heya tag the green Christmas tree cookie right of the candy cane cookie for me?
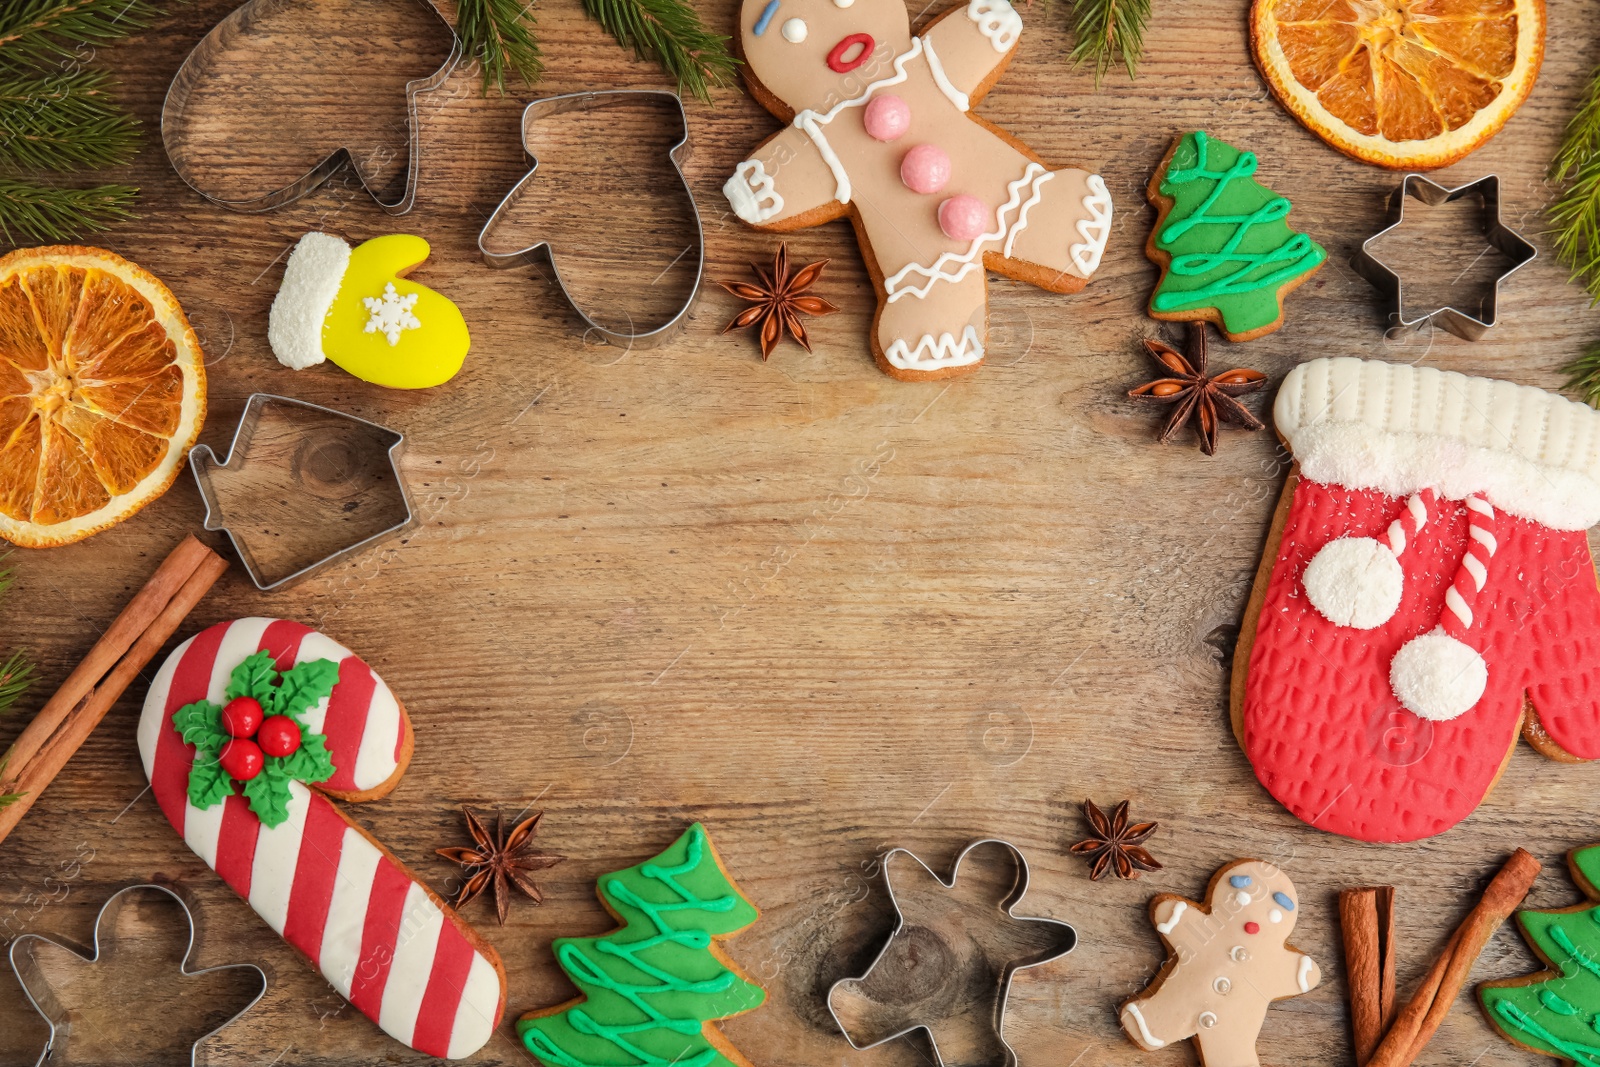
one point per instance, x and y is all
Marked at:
(652, 988)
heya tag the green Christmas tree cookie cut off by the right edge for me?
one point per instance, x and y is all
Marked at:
(1558, 1012)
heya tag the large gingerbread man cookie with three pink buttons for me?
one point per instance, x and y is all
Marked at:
(881, 130)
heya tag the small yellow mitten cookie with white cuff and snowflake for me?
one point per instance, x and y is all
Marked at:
(359, 310)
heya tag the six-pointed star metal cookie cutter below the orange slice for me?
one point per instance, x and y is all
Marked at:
(1497, 233)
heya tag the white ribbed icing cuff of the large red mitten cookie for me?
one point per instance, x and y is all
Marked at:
(1401, 430)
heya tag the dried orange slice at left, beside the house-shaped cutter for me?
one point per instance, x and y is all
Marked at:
(102, 393)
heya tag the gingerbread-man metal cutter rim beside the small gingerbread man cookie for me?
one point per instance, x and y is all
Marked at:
(1066, 943)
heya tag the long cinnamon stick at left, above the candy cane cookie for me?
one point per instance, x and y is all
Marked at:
(73, 714)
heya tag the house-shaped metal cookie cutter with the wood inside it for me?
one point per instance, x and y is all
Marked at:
(303, 487)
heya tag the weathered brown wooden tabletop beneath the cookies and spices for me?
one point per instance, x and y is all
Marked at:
(820, 610)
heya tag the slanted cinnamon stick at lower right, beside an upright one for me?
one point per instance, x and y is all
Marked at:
(1431, 1004)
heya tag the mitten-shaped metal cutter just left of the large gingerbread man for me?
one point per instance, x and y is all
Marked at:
(542, 252)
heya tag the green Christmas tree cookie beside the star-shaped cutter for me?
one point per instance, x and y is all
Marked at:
(1226, 254)
